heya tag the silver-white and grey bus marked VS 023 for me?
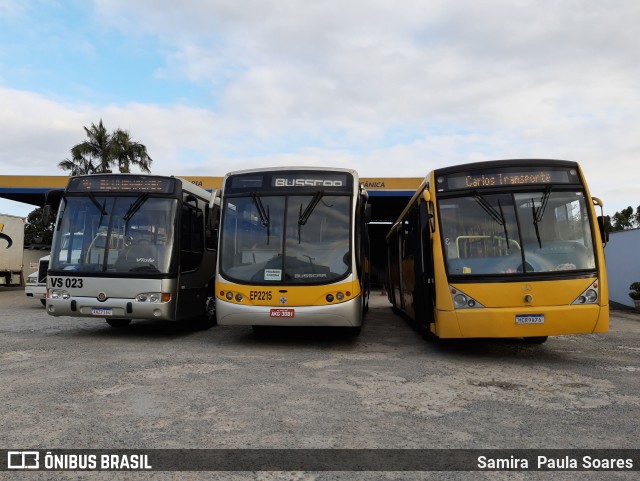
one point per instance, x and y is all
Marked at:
(130, 246)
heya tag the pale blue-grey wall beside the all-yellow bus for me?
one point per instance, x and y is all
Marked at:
(623, 264)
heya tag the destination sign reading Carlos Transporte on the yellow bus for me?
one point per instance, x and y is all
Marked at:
(507, 178)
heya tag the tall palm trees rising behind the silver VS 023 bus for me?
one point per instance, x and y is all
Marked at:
(102, 151)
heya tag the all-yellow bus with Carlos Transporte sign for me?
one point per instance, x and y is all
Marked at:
(509, 248)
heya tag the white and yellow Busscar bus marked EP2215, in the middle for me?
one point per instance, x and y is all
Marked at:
(293, 248)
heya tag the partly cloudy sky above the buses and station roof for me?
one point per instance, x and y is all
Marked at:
(389, 88)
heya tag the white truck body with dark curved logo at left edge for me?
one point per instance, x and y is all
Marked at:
(11, 249)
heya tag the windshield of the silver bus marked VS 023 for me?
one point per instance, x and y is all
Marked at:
(126, 234)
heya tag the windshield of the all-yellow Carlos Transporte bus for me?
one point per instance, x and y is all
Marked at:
(540, 231)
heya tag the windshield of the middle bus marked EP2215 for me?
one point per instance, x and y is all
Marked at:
(295, 239)
